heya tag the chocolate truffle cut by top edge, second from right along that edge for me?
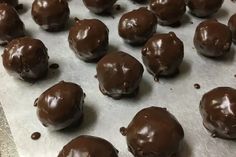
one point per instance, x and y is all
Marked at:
(168, 12)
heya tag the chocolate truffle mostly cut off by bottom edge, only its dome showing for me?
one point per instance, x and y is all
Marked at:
(88, 146)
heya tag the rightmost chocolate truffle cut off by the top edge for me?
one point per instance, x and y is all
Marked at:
(204, 8)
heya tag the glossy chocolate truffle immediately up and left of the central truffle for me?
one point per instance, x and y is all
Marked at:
(88, 38)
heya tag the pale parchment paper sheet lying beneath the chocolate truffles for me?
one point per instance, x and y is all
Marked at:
(103, 115)
